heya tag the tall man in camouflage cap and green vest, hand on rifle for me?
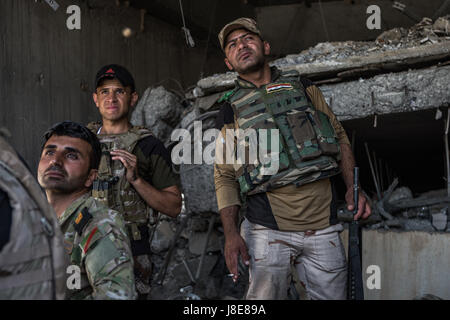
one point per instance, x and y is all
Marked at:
(287, 216)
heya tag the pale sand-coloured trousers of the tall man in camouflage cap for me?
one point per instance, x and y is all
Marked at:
(318, 257)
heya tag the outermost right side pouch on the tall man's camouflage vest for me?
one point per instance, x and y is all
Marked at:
(326, 135)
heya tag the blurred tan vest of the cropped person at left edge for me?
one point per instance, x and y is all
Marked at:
(33, 262)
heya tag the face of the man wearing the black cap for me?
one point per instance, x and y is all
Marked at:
(113, 100)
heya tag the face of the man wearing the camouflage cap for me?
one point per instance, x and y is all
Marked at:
(245, 51)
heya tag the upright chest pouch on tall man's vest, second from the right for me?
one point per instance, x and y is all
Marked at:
(304, 135)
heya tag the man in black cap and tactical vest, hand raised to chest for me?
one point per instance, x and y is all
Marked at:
(135, 176)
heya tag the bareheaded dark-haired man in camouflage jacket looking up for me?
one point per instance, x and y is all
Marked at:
(94, 236)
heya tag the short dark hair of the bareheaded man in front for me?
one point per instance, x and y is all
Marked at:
(76, 130)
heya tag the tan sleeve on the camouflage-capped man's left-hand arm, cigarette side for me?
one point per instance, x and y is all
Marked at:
(227, 188)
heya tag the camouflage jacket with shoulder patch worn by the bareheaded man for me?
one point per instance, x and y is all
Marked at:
(96, 240)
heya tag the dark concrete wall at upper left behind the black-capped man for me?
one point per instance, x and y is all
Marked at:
(47, 71)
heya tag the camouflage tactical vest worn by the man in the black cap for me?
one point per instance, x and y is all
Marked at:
(111, 186)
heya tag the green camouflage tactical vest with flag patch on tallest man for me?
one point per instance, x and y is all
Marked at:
(308, 145)
